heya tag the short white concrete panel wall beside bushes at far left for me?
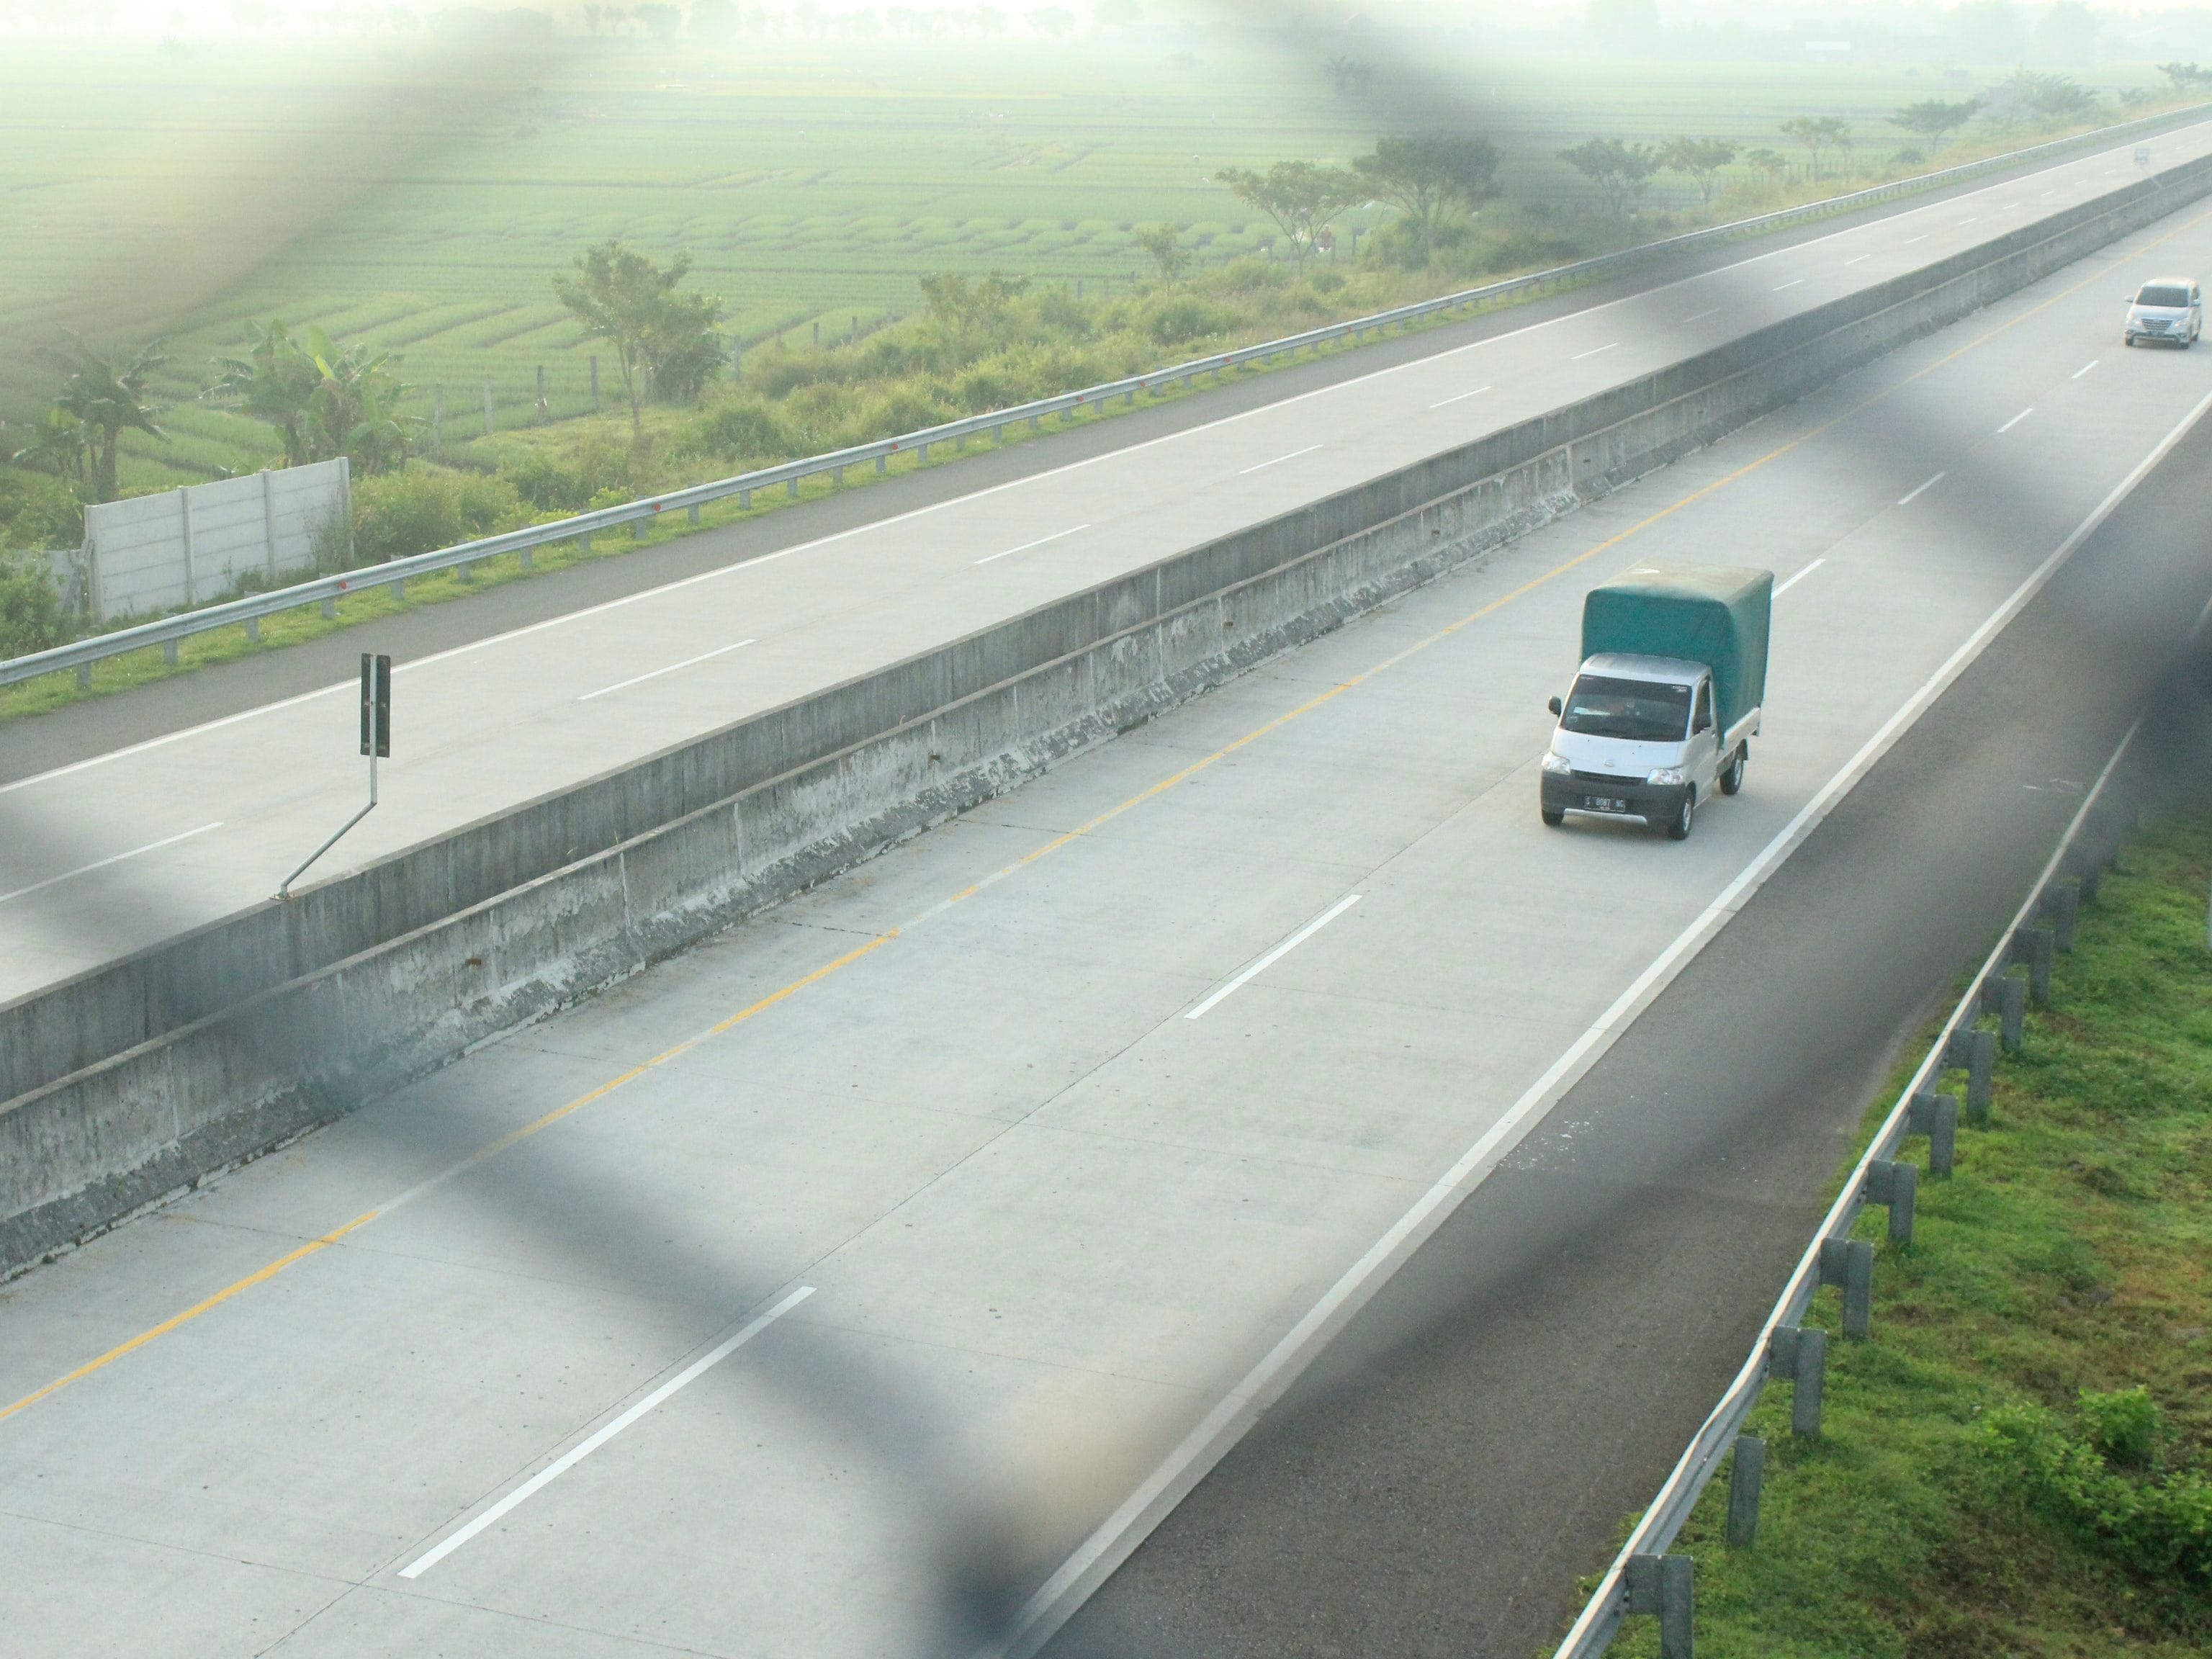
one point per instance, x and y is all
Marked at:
(194, 545)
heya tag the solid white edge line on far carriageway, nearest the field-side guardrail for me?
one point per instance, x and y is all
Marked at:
(1886, 222)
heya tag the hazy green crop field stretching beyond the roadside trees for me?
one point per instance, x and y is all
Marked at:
(421, 200)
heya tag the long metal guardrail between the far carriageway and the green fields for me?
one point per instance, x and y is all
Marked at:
(328, 589)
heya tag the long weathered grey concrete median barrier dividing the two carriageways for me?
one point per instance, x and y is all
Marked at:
(138, 1078)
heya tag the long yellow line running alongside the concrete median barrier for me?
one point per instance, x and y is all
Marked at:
(1052, 846)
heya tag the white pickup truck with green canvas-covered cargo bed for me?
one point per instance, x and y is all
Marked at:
(1669, 696)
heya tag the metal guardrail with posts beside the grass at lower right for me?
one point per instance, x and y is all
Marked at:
(1640, 1578)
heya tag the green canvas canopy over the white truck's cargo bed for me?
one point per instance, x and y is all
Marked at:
(1707, 614)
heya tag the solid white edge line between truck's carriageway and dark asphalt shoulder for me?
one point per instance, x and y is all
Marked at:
(1120, 1534)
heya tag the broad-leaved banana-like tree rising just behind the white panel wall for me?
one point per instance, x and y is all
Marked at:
(324, 399)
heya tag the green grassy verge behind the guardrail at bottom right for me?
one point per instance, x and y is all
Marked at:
(2021, 1461)
